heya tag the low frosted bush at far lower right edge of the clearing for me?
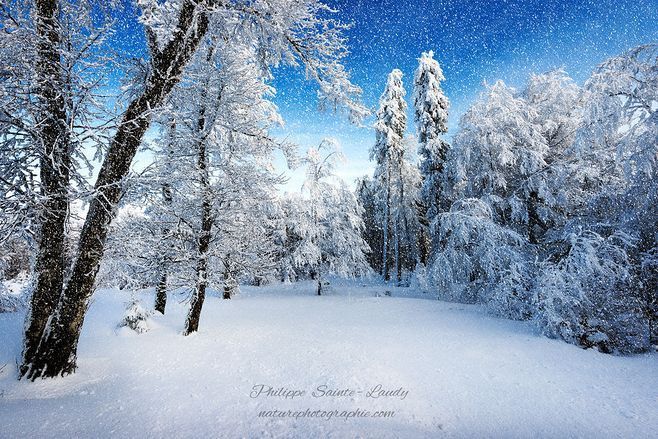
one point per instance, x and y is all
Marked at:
(588, 297)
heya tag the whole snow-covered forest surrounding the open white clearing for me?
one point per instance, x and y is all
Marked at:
(541, 207)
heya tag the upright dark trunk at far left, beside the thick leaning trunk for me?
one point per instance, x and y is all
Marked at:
(54, 163)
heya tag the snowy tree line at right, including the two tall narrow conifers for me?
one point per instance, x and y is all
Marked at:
(542, 206)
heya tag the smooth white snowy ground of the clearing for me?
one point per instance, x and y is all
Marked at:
(466, 374)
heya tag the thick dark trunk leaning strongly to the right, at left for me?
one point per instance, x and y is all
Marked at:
(56, 353)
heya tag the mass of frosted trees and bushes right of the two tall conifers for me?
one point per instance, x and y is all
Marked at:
(559, 184)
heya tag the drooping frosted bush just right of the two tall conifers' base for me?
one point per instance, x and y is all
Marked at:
(479, 261)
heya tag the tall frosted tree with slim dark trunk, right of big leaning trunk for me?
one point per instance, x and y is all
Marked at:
(228, 129)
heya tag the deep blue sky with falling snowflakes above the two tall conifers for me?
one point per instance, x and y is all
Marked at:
(474, 41)
